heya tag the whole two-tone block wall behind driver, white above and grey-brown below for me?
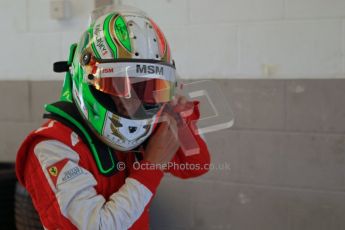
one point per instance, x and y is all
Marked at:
(287, 148)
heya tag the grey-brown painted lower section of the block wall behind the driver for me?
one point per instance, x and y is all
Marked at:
(286, 152)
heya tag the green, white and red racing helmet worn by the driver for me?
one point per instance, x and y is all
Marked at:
(123, 55)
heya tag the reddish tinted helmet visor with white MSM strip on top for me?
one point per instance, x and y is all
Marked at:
(152, 83)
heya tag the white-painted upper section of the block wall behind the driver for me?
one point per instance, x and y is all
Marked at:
(210, 39)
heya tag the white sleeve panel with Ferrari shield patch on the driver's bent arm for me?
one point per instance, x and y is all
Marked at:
(78, 200)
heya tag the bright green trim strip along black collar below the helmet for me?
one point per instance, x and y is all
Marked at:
(53, 109)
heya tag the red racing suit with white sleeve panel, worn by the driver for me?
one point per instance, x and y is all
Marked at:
(67, 190)
